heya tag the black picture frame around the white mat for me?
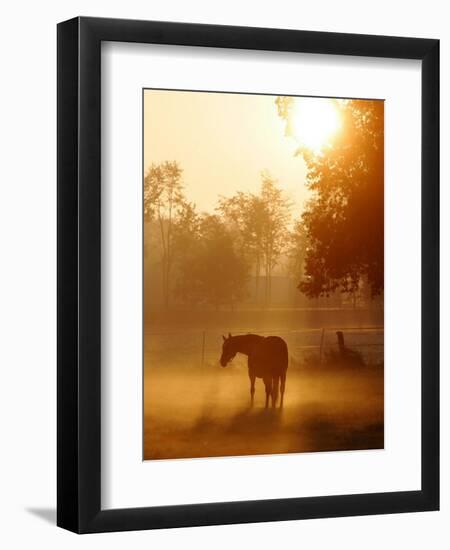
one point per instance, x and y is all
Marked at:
(79, 280)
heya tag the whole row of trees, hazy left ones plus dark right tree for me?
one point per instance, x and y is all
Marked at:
(333, 245)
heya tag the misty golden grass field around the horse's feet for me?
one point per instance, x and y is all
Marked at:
(195, 408)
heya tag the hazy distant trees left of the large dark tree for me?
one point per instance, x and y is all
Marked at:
(208, 258)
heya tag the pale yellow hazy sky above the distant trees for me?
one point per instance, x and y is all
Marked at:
(222, 142)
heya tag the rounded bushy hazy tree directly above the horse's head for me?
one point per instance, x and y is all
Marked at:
(212, 272)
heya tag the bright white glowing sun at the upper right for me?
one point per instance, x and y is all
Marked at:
(314, 121)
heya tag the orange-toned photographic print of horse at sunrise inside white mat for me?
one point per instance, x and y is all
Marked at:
(263, 274)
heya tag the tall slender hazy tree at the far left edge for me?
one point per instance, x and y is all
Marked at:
(163, 202)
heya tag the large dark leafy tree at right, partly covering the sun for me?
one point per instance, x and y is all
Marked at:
(344, 221)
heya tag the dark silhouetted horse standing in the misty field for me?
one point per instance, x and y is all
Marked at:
(267, 359)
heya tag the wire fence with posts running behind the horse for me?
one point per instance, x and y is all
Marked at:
(313, 346)
